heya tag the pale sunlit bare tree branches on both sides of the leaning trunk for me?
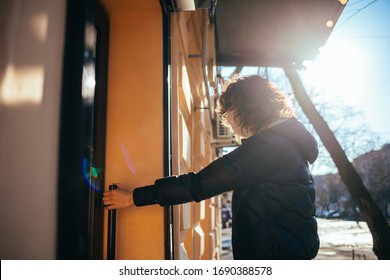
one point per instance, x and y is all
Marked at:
(347, 122)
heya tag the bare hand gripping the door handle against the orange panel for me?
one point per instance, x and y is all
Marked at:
(118, 198)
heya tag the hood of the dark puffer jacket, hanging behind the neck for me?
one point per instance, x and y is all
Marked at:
(297, 133)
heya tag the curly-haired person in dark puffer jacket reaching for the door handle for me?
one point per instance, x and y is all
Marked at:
(273, 190)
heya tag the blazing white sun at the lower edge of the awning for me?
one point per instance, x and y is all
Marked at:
(338, 71)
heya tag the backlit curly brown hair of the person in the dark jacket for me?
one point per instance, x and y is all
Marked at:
(256, 101)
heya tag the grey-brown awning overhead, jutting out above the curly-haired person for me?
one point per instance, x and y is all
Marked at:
(273, 32)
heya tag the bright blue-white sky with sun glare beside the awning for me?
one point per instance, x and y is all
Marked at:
(355, 62)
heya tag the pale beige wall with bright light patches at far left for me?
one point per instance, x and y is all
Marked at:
(31, 52)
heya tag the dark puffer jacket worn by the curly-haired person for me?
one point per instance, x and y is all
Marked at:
(273, 198)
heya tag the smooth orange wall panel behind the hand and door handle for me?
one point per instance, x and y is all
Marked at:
(135, 120)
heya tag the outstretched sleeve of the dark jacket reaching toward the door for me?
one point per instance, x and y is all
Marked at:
(241, 168)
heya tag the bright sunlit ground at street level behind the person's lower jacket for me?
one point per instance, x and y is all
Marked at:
(340, 240)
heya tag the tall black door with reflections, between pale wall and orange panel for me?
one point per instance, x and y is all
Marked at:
(82, 132)
